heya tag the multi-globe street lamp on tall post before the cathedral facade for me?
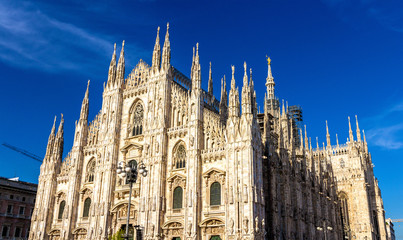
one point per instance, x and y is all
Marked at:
(129, 172)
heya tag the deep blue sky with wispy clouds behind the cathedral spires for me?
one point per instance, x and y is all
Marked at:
(335, 58)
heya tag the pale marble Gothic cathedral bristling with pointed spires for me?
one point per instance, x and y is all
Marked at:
(218, 169)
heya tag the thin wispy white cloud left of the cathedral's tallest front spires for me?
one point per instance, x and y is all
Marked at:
(31, 39)
